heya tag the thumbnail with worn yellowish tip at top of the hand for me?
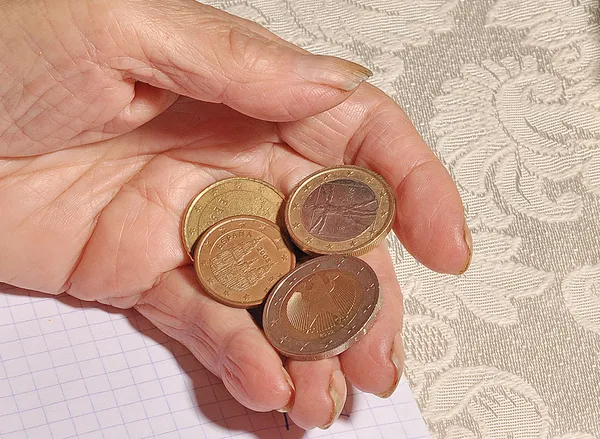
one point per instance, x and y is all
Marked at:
(332, 71)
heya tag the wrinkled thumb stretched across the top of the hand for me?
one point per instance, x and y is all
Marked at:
(204, 53)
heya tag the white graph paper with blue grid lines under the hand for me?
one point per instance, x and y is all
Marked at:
(72, 369)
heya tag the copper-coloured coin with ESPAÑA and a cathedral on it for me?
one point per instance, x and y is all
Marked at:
(239, 259)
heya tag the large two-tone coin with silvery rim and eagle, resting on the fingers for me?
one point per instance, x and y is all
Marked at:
(322, 307)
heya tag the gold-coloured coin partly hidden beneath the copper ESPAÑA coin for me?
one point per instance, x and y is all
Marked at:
(227, 198)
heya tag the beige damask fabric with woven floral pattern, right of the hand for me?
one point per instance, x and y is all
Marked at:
(507, 93)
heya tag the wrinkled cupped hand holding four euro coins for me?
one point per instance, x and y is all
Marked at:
(115, 114)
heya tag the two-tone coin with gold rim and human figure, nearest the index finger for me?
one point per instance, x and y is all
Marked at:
(340, 210)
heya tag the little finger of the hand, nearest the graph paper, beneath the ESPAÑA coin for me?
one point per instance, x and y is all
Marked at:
(224, 339)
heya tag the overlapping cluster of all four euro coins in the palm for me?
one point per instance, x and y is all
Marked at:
(245, 238)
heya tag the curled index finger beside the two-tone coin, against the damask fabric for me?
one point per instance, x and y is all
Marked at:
(371, 130)
